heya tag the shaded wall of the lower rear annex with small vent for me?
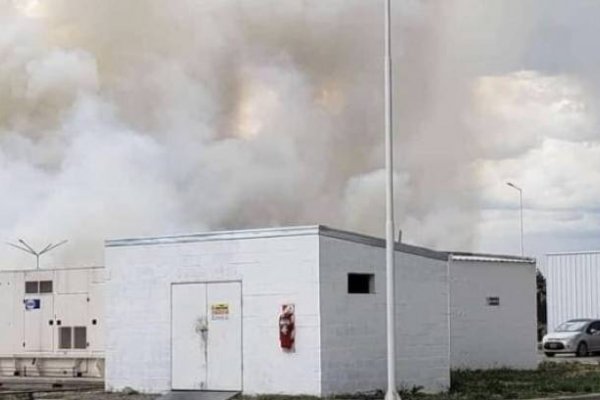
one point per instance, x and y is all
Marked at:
(485, 336)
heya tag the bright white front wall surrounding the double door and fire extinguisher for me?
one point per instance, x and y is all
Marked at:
(273, 271)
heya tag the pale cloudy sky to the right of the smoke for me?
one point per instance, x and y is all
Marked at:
(547, 121)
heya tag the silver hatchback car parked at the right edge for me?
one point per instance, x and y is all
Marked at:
(578, 336)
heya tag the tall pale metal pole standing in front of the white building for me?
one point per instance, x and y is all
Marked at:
(391, 393)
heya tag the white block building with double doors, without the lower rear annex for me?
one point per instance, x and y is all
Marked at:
(202, 312)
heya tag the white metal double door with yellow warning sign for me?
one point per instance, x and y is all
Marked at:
(206, 336)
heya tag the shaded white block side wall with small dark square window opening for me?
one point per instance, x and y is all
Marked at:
(353, 354)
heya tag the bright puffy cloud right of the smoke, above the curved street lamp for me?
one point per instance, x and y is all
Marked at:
(517, 112)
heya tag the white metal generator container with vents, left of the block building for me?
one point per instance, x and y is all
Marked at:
(51, 322)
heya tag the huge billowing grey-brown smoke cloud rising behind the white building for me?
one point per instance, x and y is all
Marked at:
(149, 117)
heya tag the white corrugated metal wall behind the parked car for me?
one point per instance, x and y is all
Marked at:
(572, 286)
